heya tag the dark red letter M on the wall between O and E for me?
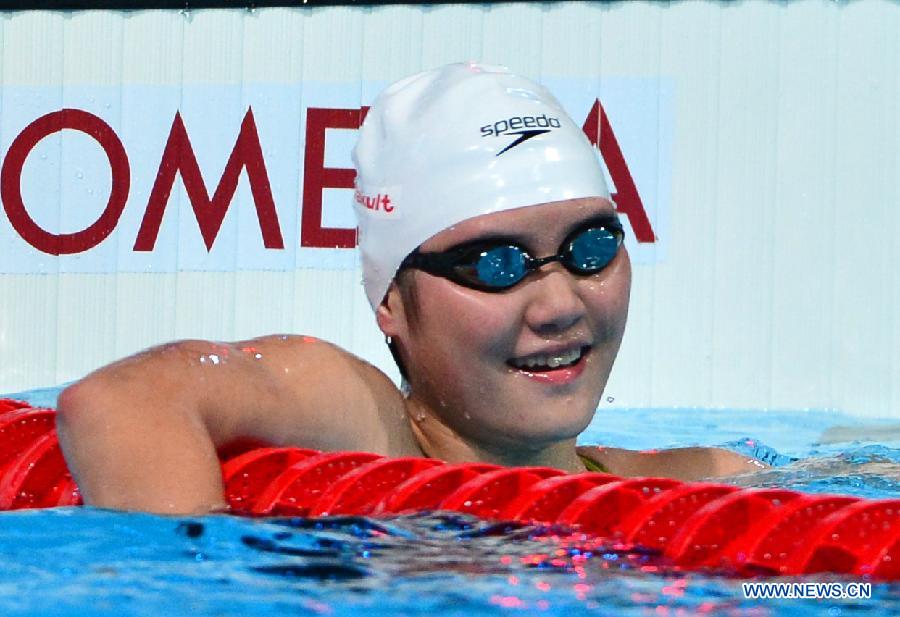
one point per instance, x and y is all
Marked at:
(178, 157)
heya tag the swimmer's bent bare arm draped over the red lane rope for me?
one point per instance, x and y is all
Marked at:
(142, 433)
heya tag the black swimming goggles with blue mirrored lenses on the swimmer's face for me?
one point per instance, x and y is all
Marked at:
(497, 264)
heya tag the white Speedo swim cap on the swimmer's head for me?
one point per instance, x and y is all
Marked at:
(453, 143)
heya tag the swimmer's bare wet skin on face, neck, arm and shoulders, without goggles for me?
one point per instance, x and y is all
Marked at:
(142, 433)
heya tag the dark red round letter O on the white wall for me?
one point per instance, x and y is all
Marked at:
(11, 180)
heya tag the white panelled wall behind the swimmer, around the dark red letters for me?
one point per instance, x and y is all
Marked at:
(770, 178)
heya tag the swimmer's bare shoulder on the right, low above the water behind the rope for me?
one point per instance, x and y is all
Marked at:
(693, 463)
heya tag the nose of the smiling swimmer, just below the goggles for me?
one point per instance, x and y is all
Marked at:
(555, 304)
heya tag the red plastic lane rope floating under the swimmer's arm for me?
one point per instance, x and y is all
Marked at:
(694, 524)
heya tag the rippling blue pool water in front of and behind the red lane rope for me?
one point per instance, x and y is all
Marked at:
(85, 561)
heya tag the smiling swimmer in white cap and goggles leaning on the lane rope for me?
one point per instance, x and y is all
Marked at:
(493, 260)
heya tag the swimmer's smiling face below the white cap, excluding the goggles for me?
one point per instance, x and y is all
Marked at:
(470, 354)
